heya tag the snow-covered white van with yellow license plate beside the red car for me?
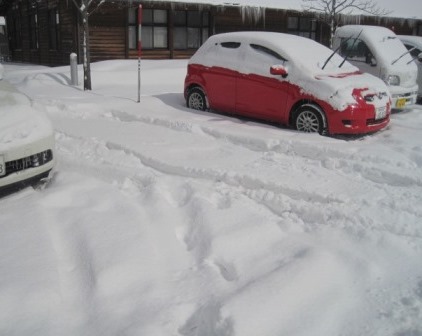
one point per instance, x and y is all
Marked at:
(377, 50)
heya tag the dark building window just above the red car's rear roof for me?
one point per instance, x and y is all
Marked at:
(191, 29)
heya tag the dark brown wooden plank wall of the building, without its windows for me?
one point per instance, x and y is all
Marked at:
(109, 29)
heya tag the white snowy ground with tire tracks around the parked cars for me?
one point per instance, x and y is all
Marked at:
(165, 221)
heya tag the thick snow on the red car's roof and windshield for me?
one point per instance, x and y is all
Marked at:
(306, 53)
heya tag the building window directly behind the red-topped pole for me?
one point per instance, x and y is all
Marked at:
(154, 29)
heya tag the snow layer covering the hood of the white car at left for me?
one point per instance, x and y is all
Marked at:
(20, 122)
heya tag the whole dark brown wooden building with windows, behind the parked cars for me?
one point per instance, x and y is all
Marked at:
(48, 31)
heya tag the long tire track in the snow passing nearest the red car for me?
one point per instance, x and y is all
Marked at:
(368, 167)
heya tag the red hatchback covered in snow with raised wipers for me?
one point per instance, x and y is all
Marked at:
(287, 79)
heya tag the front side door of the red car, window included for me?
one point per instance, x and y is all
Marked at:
(259, 93)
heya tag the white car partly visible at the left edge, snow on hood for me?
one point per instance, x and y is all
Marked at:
(26, 141)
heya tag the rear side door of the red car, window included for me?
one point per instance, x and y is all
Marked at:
(220, 78)
